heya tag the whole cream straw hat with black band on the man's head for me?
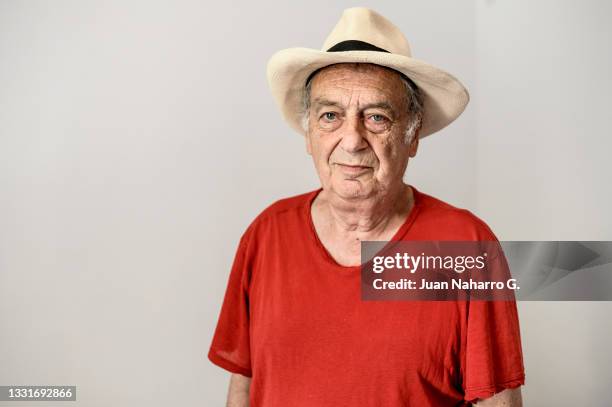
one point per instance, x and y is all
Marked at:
(362, 35)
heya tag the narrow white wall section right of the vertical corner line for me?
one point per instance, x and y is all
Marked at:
(543, 101)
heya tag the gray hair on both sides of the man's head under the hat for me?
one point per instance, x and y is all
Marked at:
(414, 99)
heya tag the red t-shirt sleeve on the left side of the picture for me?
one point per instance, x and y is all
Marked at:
(230, 347)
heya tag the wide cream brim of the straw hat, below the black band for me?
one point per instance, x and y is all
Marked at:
(444, 96)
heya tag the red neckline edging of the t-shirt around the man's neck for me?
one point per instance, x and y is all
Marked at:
(327, 257)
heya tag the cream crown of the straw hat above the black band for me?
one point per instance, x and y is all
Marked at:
(362, 24)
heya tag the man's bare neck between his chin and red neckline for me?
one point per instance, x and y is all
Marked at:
(369, 218)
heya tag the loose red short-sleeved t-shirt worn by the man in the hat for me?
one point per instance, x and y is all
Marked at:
(293, 320)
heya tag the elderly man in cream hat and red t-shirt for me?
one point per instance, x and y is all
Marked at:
(293, 329)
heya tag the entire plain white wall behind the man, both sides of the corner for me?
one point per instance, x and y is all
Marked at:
(138, 139)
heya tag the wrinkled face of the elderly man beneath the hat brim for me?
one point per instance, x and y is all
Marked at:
(356, 131)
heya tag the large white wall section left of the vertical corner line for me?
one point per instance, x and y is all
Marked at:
(137, 141)
